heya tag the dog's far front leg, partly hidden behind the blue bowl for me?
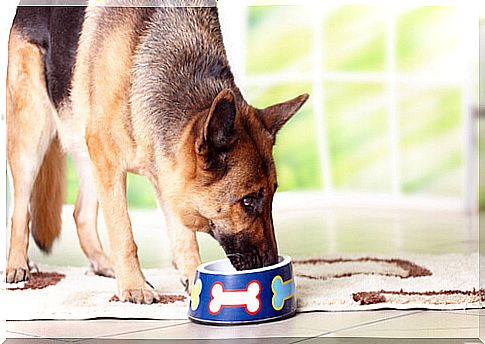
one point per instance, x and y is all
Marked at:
(185, 249)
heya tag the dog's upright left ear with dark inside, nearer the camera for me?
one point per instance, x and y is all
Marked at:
(217, 134)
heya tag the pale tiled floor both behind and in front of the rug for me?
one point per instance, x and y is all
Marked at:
(333, 231)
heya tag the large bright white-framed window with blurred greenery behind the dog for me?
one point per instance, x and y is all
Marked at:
(392, 94)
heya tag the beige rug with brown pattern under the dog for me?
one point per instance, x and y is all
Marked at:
(349, 283)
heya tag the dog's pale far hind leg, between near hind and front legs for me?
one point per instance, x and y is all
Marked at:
(86, 217)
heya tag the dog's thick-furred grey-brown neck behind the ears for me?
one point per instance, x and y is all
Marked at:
(179, 68)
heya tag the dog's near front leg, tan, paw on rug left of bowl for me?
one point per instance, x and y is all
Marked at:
(111, 186)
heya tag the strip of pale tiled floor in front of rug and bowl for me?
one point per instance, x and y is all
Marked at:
(362, 325)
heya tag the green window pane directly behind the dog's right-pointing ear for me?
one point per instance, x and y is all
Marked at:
(296, 151)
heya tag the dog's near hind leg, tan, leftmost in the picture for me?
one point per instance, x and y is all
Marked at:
(30, 131)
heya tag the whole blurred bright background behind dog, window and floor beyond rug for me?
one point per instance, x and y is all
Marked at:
(385, 152)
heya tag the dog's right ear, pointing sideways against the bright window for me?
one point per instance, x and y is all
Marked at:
(275, 116)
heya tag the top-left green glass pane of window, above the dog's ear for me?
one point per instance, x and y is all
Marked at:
(278, 38)
